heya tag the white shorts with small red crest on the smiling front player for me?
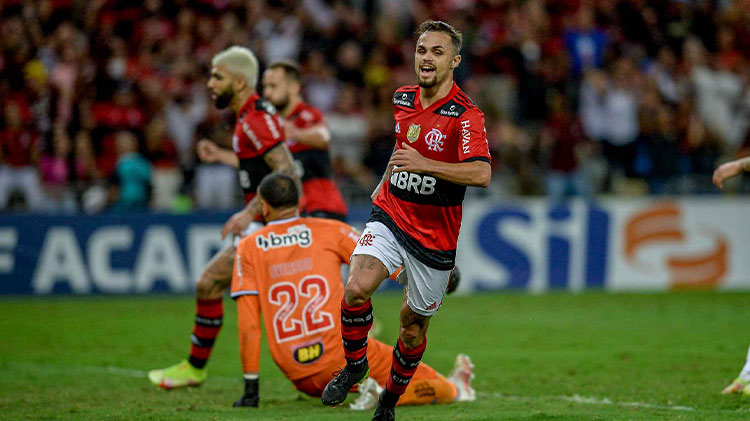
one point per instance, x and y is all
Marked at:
(425, 286)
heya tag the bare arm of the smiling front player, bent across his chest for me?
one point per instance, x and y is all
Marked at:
(475, 173)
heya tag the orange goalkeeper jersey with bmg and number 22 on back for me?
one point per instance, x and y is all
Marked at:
(293, 266)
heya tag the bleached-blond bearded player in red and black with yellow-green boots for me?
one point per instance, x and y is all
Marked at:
(259, 149)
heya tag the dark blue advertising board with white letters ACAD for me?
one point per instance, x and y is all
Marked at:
(110, 254)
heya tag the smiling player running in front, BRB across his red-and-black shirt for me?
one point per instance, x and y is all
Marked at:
(441, 147)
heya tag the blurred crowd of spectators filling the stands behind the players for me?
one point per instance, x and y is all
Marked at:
(103, 101)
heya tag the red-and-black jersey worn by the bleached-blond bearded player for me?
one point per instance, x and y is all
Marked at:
(256, 132)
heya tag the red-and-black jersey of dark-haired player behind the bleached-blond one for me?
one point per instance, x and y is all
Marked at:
(320, 192)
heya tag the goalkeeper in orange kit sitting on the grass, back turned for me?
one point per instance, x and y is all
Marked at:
(288, 276)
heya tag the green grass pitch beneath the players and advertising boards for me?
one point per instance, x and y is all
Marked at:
(591, 356)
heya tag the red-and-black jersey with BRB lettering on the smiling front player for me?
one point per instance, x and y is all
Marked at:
(423, 211)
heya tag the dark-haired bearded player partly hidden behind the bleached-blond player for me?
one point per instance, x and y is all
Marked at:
(308, 137)
